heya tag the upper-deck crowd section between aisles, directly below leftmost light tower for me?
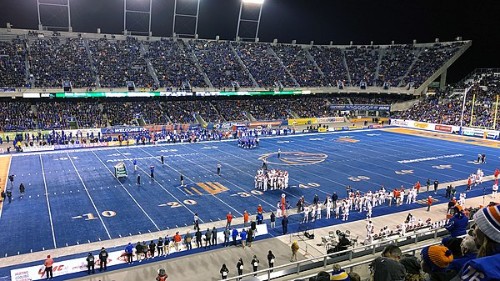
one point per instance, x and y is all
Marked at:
(54, 60)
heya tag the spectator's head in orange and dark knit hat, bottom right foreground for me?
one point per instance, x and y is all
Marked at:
(435, 261)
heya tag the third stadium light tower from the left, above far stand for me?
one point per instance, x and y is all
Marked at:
(187, 12)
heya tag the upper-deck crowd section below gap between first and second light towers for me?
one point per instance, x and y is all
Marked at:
(119, 61)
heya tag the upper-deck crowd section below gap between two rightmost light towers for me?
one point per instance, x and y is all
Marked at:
(219, 62)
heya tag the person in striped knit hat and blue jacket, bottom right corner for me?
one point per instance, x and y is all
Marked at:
(487, 236)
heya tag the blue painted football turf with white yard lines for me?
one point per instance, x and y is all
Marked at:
(81, 184)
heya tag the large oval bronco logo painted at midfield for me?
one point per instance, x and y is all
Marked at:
(293, 158)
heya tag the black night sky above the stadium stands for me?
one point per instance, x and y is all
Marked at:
(340, 21)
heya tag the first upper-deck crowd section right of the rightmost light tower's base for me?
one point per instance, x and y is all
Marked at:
(300, 66)
